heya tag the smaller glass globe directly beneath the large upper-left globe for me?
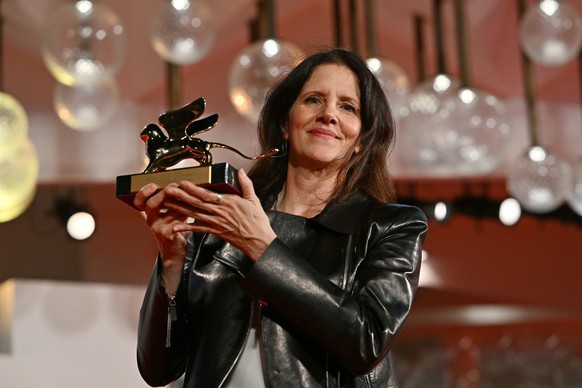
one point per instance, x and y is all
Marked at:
(86, 107)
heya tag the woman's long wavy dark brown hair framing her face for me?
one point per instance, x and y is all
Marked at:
(364, 172)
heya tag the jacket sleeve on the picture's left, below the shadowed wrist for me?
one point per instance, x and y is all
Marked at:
(160, 362)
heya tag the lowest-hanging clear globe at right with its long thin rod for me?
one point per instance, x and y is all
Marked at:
(538, 179)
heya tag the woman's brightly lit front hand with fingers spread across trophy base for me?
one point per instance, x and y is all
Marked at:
(238, 220)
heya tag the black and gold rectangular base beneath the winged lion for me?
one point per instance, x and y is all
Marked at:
(220, 178)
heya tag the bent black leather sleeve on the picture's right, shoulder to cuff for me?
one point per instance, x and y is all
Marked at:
(357, 325)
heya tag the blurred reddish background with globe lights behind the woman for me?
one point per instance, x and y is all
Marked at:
(486, 96)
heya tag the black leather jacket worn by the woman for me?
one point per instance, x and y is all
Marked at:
(334, 291)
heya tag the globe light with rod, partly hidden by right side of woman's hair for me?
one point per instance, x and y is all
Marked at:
(392, 77)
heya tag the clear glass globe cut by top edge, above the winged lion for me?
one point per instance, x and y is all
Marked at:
(183, 31)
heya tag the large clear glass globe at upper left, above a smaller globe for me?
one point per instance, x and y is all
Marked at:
(83, 43)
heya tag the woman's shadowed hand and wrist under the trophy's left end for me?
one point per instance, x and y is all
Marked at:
(161, 221)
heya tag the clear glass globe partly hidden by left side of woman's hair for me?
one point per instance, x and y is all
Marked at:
(256, 69)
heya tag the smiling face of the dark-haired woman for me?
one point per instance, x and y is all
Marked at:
(324, 121)
